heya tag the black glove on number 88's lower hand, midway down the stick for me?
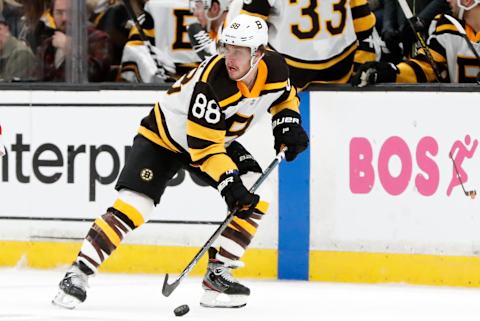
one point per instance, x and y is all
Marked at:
(236, 195)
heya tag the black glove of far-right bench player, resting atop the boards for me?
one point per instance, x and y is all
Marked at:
(374, 72)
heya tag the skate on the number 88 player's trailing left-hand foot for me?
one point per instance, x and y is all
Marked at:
(72, 289)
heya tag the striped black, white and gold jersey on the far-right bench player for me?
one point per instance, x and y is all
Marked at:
(451, 53)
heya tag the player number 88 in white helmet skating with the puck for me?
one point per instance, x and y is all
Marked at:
(195, 125)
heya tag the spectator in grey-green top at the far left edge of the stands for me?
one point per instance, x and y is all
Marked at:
(17, 61)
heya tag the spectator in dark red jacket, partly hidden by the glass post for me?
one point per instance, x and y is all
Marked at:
(55, 50)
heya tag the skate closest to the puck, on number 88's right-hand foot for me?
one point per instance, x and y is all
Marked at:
(221, 289)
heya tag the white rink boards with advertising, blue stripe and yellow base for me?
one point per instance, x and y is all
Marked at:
(374, 198)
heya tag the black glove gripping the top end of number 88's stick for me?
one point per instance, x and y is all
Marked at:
(288, 131)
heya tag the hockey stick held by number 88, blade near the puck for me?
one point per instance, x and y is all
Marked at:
(169, 288)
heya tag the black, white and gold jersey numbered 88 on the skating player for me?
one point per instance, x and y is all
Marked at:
(205, 110)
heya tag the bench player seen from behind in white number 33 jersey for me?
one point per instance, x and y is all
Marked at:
(318, 38)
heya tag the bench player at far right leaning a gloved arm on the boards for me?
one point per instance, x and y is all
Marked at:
(455, 56)
